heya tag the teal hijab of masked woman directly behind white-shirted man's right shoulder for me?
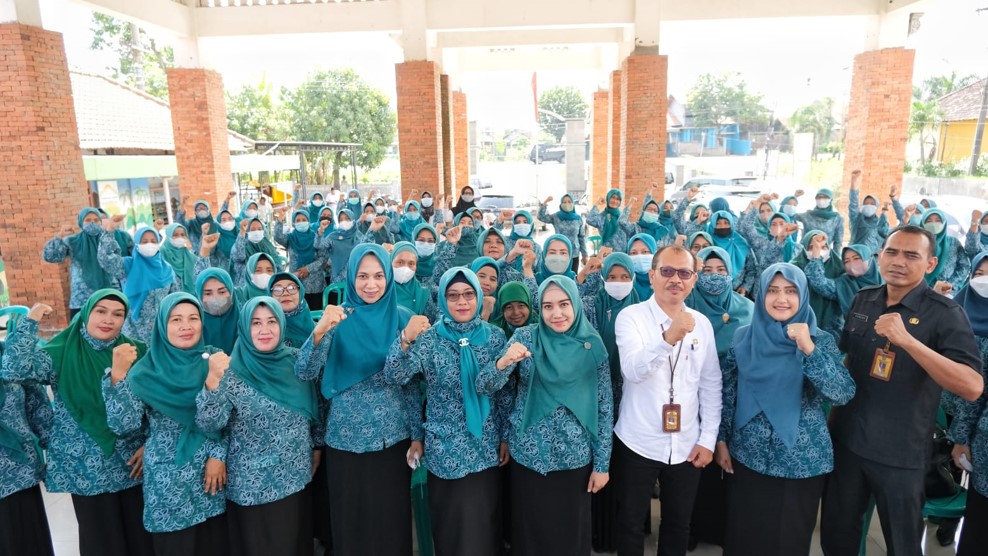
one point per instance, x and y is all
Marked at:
(726, 311)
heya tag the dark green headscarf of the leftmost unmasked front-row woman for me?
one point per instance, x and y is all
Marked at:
(79, 370)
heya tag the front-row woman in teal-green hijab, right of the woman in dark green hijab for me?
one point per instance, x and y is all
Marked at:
(159, 395)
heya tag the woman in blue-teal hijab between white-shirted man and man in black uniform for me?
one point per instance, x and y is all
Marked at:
(780, 373)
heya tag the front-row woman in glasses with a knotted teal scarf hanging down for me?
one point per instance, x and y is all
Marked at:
(463, 439)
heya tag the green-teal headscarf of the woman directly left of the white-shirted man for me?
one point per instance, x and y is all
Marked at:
(565, 369)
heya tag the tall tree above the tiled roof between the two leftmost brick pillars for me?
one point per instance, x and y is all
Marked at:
(141, 61)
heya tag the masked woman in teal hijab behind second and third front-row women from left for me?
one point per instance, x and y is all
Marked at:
(214, 289)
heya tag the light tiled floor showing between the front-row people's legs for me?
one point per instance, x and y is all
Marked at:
(66, 536)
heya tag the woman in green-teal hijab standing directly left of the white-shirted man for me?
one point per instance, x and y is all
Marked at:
(561, 422)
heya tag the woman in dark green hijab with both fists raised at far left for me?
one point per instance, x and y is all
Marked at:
(100, 468)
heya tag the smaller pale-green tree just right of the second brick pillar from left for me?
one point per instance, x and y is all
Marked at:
(254, 112)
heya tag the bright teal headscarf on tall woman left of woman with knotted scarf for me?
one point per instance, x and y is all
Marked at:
(362, 340)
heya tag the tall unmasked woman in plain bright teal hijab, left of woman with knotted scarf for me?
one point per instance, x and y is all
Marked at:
(373, 429)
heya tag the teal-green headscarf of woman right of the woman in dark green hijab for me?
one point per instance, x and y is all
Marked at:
(168, 379)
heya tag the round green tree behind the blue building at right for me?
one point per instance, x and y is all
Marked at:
(716, 100)
